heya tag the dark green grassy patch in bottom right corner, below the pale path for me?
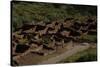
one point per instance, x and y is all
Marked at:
(86, 55)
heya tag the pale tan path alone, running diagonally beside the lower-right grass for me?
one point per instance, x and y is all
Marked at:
(64, 55)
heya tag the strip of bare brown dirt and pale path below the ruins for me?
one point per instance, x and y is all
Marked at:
(30, 58)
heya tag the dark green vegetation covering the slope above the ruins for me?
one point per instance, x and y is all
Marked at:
(28, 12)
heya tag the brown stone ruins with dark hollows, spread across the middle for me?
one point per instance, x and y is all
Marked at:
(48, 38)
